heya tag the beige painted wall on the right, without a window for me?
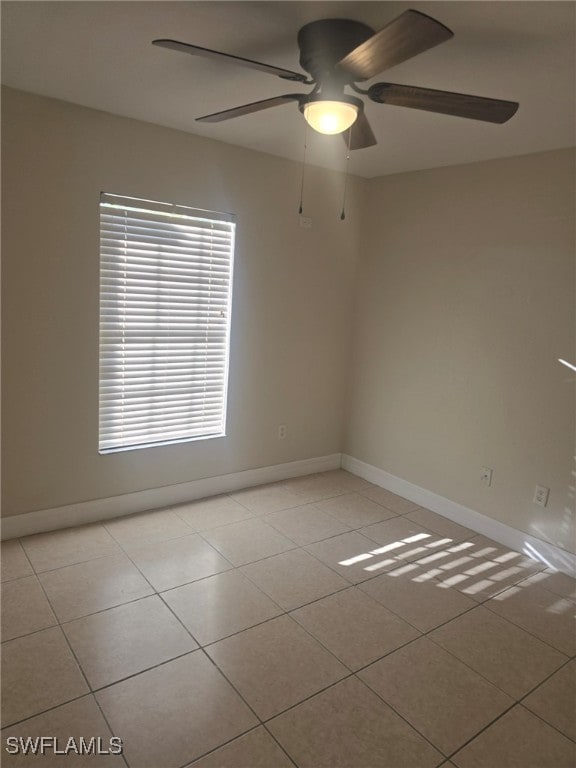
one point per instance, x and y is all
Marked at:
(466, 299)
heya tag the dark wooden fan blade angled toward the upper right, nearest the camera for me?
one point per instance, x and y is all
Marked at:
(408, 35)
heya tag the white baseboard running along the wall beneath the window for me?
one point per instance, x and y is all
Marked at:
(52, 519)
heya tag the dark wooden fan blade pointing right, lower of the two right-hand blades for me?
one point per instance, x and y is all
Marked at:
(444, 102)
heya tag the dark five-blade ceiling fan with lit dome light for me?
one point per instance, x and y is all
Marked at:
(339, 53)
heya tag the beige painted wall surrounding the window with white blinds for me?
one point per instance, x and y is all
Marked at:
(292, 300)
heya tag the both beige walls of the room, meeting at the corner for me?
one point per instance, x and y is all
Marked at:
(464, 302)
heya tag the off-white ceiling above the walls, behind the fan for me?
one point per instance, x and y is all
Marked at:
(98, 54)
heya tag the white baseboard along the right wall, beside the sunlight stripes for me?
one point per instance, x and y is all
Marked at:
(532, 546)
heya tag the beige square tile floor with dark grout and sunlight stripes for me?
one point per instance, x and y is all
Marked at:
(320, 622)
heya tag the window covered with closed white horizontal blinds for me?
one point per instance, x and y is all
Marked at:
(165, 296)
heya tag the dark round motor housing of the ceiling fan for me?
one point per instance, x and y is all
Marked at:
(325, 42)
